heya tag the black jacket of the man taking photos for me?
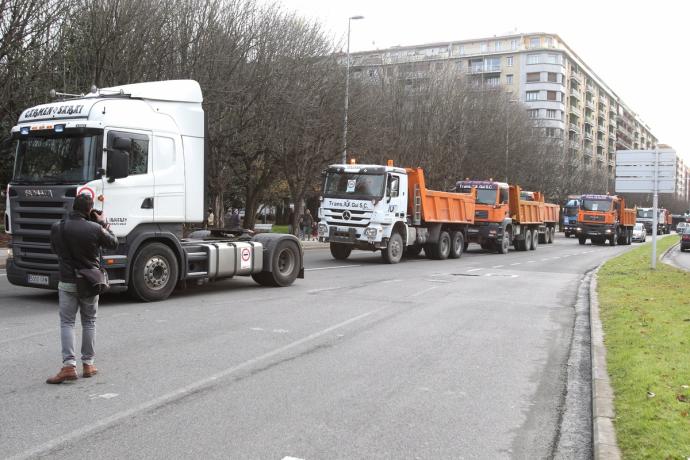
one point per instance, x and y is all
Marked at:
(80, 245)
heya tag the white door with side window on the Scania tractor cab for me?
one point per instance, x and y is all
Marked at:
(129, 201)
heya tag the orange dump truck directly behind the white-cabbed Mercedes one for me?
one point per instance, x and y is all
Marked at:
(506, 216)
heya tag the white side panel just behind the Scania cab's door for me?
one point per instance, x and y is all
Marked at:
(169, 180)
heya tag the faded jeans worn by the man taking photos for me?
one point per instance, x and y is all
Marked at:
(70, 303)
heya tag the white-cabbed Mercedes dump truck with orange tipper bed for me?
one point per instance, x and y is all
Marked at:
(389, 208)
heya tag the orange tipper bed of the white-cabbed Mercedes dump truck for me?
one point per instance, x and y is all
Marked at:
(435, 206)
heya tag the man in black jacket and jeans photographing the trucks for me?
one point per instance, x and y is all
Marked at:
(77, 241)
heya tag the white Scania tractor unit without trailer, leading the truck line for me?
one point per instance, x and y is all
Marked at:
(140, 151)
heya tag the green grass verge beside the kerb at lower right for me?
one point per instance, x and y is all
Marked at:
(646, 320)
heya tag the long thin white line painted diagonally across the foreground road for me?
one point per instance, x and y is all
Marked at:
(99, 425)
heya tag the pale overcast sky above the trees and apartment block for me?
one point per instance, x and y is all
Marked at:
(638, 48)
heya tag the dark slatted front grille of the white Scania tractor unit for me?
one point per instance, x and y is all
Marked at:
(32, 217)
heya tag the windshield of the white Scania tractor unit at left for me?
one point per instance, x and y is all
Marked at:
(57, 160)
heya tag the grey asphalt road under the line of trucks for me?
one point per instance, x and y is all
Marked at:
(481, 357)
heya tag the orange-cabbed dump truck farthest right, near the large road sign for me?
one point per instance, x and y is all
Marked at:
(605, 217)
